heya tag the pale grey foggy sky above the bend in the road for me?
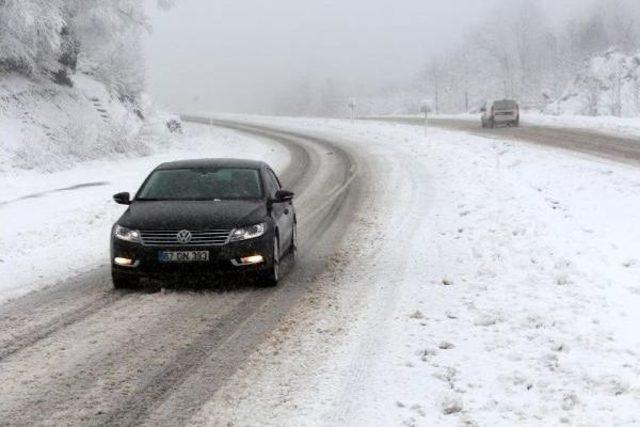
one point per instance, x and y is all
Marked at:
(253, 56)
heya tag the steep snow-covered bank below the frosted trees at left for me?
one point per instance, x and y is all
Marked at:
(49, 127)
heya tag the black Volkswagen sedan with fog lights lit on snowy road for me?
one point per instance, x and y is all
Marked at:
(200, 217)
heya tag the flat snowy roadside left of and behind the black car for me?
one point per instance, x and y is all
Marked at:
(56, 225)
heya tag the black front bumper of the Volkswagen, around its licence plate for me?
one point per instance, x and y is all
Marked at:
(221, 258)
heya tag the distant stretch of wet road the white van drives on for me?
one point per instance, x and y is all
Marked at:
(586, 141)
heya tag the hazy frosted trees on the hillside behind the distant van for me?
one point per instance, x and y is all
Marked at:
(516, 53)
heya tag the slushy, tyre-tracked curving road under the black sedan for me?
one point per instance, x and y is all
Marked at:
(82, 353)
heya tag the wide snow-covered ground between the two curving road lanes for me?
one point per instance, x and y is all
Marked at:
(484, 283)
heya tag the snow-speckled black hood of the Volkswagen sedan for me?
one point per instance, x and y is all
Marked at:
(192, 215)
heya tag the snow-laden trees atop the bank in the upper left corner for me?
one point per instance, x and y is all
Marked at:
(53, 38)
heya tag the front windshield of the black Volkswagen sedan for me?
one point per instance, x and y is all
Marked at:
(202, 184)
